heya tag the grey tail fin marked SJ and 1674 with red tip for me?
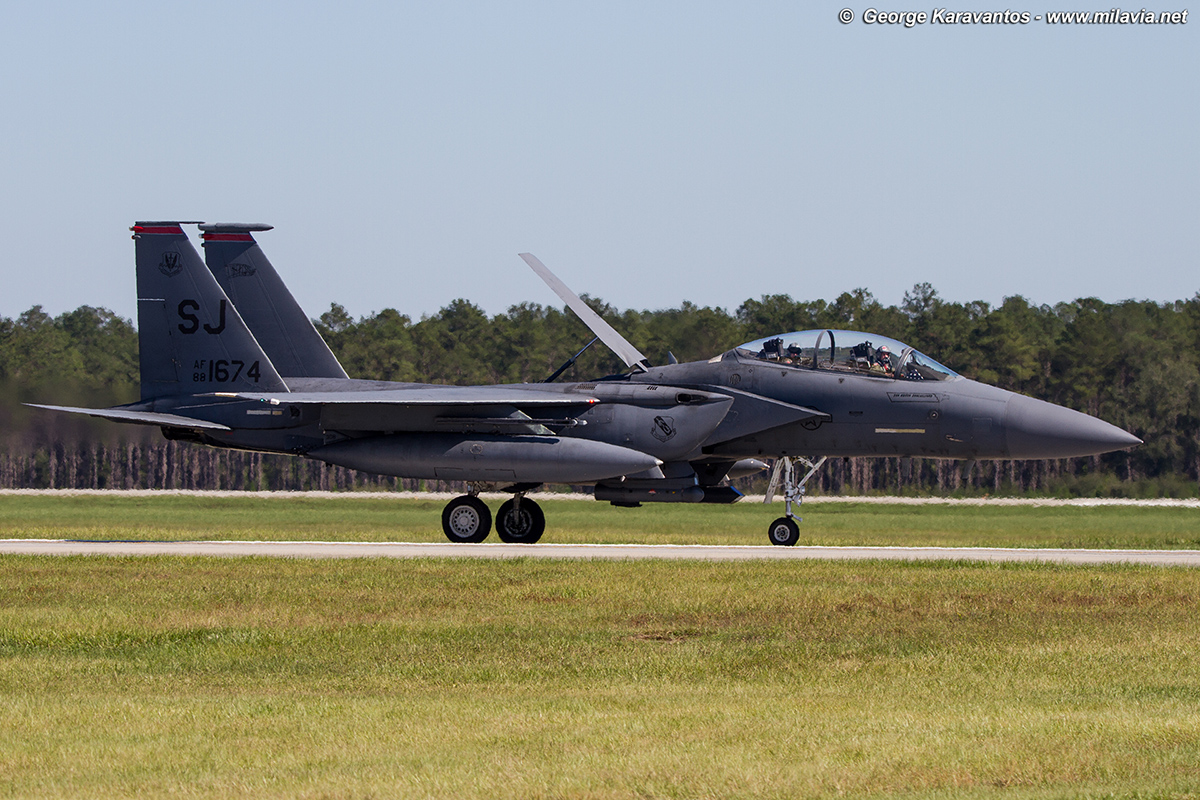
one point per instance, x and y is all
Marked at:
(191, 338)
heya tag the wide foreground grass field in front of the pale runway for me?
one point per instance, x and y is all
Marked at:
(207, 678)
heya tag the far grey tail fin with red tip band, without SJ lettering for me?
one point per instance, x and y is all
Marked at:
(283, 329)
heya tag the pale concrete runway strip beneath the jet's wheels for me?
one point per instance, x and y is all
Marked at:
(598, 552)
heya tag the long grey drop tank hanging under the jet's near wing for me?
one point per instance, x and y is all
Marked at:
(491, 459)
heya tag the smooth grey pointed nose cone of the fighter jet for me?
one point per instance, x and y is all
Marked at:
(1041, 430)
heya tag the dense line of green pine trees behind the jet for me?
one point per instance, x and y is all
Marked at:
(1133, 364)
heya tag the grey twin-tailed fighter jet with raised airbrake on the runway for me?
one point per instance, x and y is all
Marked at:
(230, 360)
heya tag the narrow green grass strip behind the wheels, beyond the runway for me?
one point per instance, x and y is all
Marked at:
(175, 518)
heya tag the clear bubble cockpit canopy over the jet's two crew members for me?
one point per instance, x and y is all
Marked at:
(848, 352)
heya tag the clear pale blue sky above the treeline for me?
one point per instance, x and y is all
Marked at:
(650, 153)
